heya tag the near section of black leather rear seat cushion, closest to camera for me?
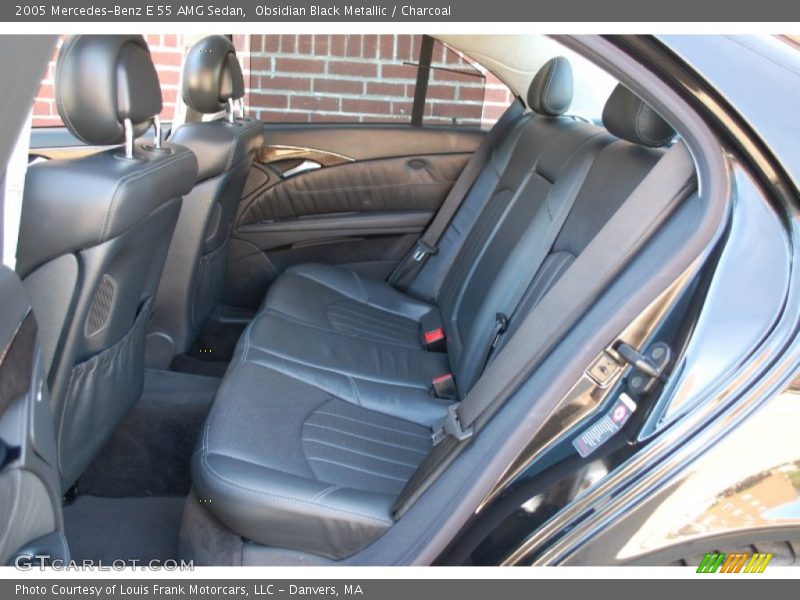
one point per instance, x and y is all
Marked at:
(286, 464)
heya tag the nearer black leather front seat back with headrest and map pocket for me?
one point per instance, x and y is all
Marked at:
(93, 238)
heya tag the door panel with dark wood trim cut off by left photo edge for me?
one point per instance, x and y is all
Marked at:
(30, 501)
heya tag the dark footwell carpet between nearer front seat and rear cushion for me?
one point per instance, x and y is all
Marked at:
(150, 453)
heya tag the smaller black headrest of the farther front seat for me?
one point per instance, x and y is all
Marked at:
(212, 75)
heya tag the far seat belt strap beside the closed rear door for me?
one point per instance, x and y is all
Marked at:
(408, 268)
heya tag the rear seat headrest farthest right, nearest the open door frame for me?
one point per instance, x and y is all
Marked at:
(628, 117)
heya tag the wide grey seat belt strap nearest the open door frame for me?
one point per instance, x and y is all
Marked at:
(668, 184)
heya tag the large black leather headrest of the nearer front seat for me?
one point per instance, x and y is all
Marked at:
(100, 81)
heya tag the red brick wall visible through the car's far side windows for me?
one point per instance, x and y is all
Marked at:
(331, 78)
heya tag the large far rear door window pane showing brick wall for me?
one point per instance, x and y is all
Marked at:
(330, 78)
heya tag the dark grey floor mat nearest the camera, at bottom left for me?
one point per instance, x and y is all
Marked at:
(109, 529)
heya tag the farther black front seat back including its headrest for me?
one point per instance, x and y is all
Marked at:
(195, 271)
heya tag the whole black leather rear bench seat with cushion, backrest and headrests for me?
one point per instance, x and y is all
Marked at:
(327, 407)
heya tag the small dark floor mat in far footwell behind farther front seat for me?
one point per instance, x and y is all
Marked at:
(211, 351)
